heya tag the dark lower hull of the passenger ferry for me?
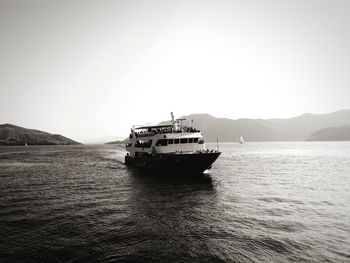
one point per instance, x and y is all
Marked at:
(174, 163)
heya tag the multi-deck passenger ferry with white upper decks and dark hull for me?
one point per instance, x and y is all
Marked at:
(169, 148)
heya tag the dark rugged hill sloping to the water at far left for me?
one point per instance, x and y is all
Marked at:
(15, 135)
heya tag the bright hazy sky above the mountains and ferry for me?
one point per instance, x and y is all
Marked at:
(88, 69)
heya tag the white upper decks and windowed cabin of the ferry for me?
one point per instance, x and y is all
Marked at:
(167, 139)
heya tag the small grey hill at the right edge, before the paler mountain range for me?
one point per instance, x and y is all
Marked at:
(341, 133)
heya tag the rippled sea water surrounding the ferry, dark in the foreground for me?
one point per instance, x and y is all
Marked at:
(260, 202)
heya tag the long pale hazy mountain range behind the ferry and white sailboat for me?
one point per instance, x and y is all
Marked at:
(294, 129)
